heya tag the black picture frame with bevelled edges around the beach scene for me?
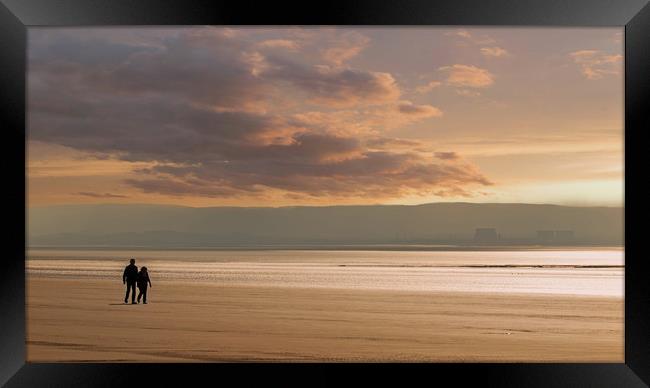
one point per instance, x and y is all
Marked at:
(17, 15)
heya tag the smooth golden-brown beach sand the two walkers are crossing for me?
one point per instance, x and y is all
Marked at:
(86, 321)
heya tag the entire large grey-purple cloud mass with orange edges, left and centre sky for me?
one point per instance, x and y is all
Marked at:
(211, 114)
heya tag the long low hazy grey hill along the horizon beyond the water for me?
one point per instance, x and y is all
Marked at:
(436, 223)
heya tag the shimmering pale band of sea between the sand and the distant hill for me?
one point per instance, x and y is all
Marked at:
(568, 271)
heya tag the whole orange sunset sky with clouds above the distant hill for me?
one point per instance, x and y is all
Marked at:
(266, 116)
